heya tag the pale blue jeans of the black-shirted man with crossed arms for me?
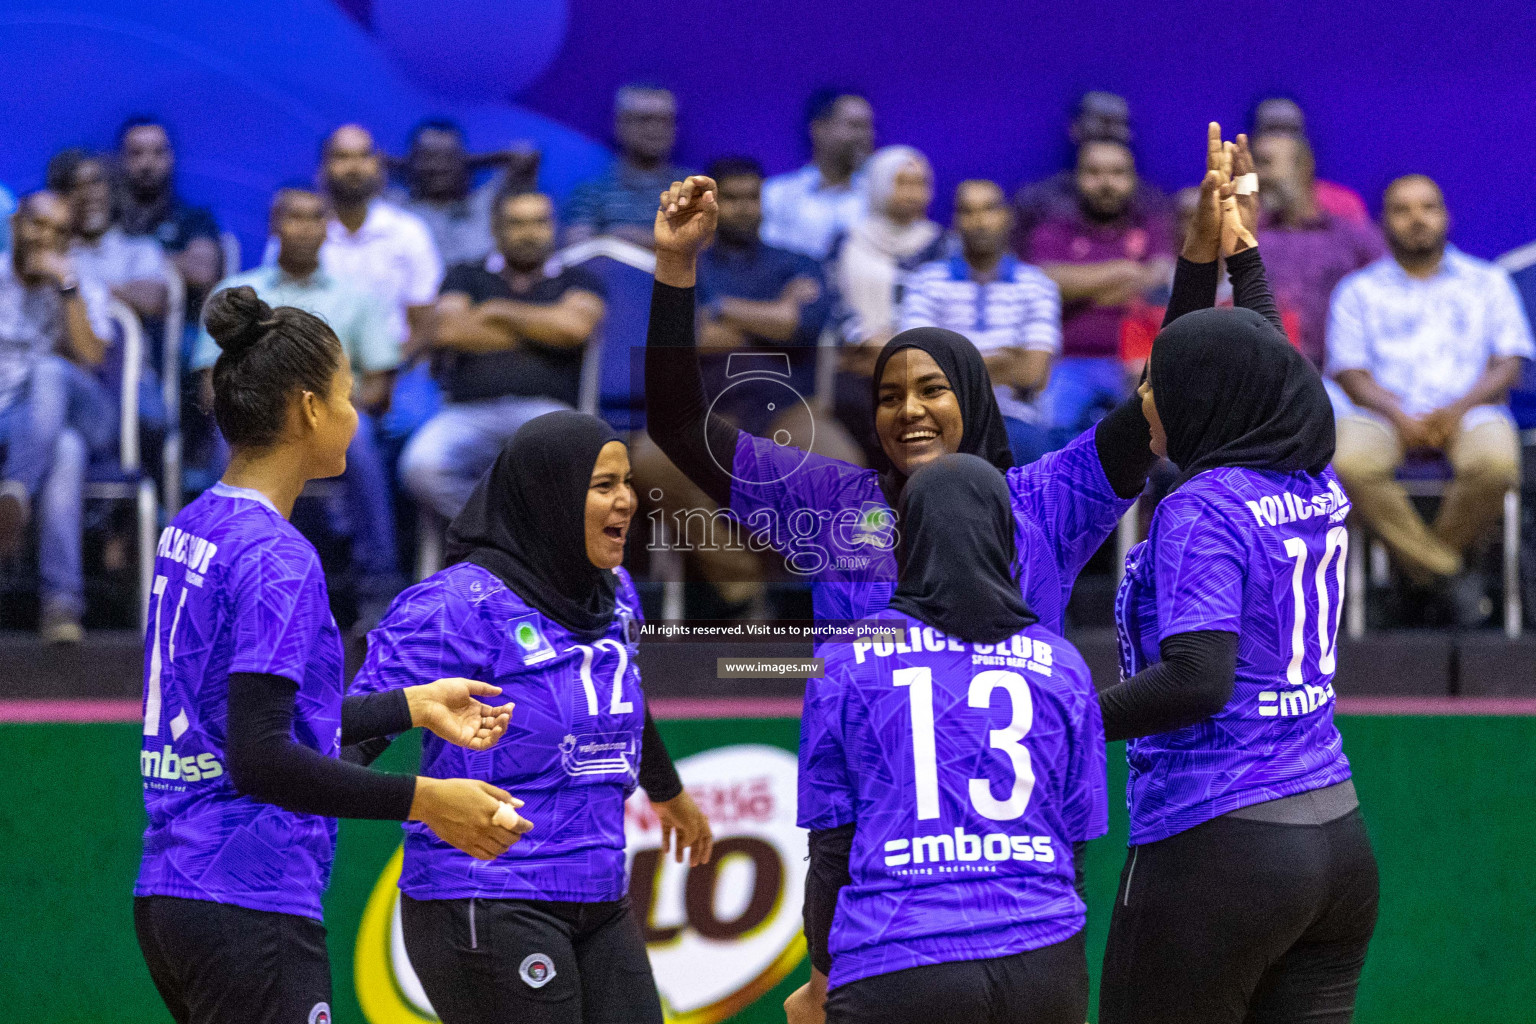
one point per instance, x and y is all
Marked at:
(445, 460)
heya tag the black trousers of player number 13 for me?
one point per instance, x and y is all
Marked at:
(1041, 986)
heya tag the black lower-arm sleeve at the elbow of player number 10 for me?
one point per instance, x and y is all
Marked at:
(1193, 682)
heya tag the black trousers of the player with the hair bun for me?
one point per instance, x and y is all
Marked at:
(216, 963)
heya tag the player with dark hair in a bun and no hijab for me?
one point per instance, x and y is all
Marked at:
(243, 701)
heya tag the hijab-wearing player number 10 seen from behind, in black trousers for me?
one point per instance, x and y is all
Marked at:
(1250, 891)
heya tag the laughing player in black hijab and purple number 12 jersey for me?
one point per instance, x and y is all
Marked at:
(538, 604)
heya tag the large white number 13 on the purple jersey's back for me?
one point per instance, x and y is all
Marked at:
(1008, 741)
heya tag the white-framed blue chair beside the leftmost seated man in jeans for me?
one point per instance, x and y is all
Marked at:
(124, 478)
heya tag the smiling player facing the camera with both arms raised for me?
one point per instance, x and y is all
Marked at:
(932, 397)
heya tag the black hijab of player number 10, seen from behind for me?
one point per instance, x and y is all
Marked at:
(1231, 391)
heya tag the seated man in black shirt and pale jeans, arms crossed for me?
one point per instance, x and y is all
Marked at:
(508, 348)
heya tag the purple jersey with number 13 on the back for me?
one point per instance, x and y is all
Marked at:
(979, 767)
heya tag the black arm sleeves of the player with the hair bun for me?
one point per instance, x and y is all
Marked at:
(268, 765)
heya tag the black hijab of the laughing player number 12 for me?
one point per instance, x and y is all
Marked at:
(528, 523)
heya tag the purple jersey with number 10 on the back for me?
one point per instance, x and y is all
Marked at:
(1260, 555)
